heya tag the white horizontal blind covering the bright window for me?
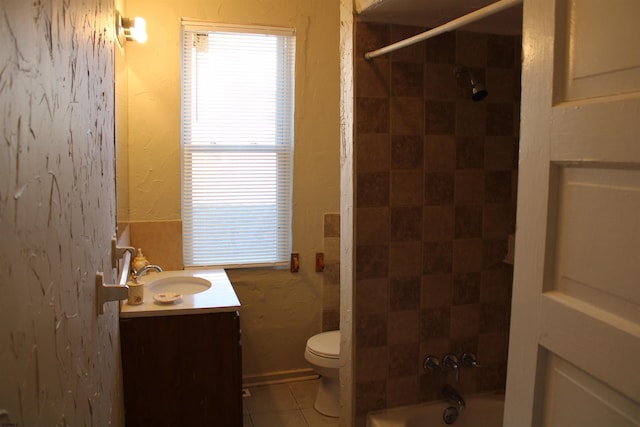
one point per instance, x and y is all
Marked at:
(237, 144)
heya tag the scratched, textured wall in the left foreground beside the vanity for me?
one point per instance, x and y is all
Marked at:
(59, 360)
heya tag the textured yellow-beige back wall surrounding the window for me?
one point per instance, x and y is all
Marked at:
(280, 310)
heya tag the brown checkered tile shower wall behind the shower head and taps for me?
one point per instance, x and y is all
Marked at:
(435, 202)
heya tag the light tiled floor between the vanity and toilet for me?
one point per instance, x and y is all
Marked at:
(284, 405)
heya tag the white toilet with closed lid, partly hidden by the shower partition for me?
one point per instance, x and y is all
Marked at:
(323, 352)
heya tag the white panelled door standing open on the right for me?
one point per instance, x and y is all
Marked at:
(574, 353)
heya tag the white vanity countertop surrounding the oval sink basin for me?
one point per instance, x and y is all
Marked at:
(220, 297)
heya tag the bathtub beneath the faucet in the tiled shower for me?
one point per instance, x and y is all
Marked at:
(481, 410)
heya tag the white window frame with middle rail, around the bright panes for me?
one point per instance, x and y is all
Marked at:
(284, 123)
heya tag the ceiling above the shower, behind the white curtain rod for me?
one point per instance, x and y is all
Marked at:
(432, 13)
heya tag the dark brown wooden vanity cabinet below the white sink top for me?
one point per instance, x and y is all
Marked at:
(182, 370)
